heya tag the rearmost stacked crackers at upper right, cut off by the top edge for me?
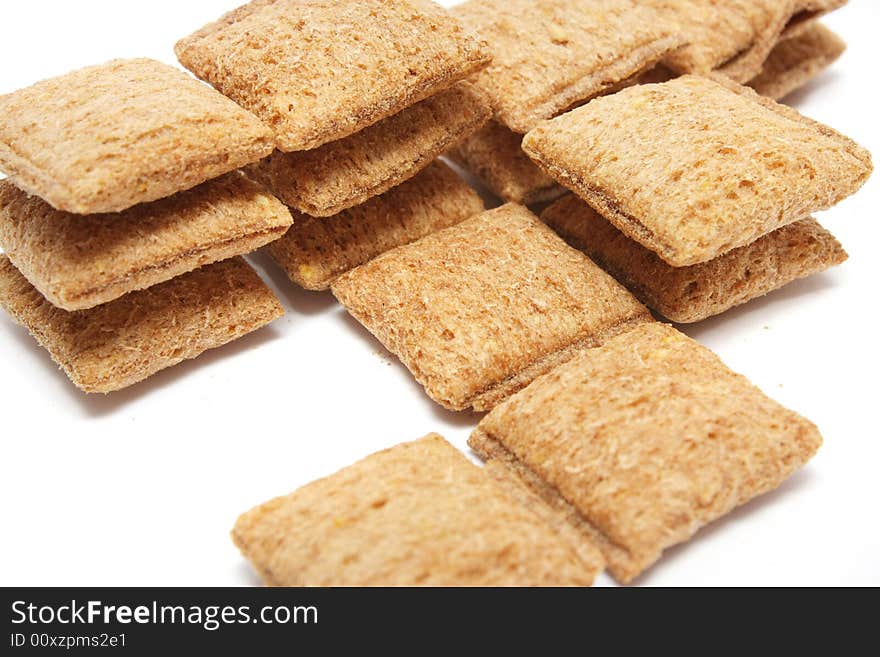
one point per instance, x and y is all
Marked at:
(554, 55)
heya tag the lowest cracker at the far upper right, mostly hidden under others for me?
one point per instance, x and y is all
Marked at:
(796, 61)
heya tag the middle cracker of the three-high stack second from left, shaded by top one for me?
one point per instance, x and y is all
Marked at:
(344, 173)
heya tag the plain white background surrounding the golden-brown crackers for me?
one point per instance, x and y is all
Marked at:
(142, 487)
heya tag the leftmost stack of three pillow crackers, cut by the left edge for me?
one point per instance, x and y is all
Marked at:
(122, 217)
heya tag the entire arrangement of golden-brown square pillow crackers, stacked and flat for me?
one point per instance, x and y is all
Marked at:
(610, 436)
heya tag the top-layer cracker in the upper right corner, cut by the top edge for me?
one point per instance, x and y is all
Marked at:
(736, 36)
